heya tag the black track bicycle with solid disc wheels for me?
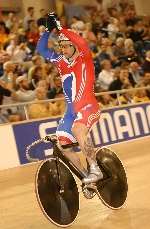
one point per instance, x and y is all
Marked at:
(56, 187)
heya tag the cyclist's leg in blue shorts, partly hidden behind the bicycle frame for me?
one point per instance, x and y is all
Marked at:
(65, 136)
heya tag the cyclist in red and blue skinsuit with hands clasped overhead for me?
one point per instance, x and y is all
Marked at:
(76, 69)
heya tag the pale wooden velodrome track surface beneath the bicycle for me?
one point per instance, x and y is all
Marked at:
(19, 208)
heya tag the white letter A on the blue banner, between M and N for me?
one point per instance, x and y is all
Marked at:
(127, 127)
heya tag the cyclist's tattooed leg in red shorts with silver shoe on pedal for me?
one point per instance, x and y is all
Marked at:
(85, 119)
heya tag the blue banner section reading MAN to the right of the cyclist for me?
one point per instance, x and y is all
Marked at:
(117, 125)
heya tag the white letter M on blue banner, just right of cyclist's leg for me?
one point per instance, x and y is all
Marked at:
(106, 117)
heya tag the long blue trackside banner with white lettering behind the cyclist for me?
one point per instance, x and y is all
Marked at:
(115, 125)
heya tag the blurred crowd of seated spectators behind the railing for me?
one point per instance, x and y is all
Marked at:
(119, 41)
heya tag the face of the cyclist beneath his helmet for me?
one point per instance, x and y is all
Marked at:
(67, 48)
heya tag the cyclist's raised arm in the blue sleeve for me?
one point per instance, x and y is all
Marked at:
(42, 48)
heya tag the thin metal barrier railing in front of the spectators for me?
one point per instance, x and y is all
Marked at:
(25, 104)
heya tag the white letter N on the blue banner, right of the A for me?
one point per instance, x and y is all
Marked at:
(135, 112)
